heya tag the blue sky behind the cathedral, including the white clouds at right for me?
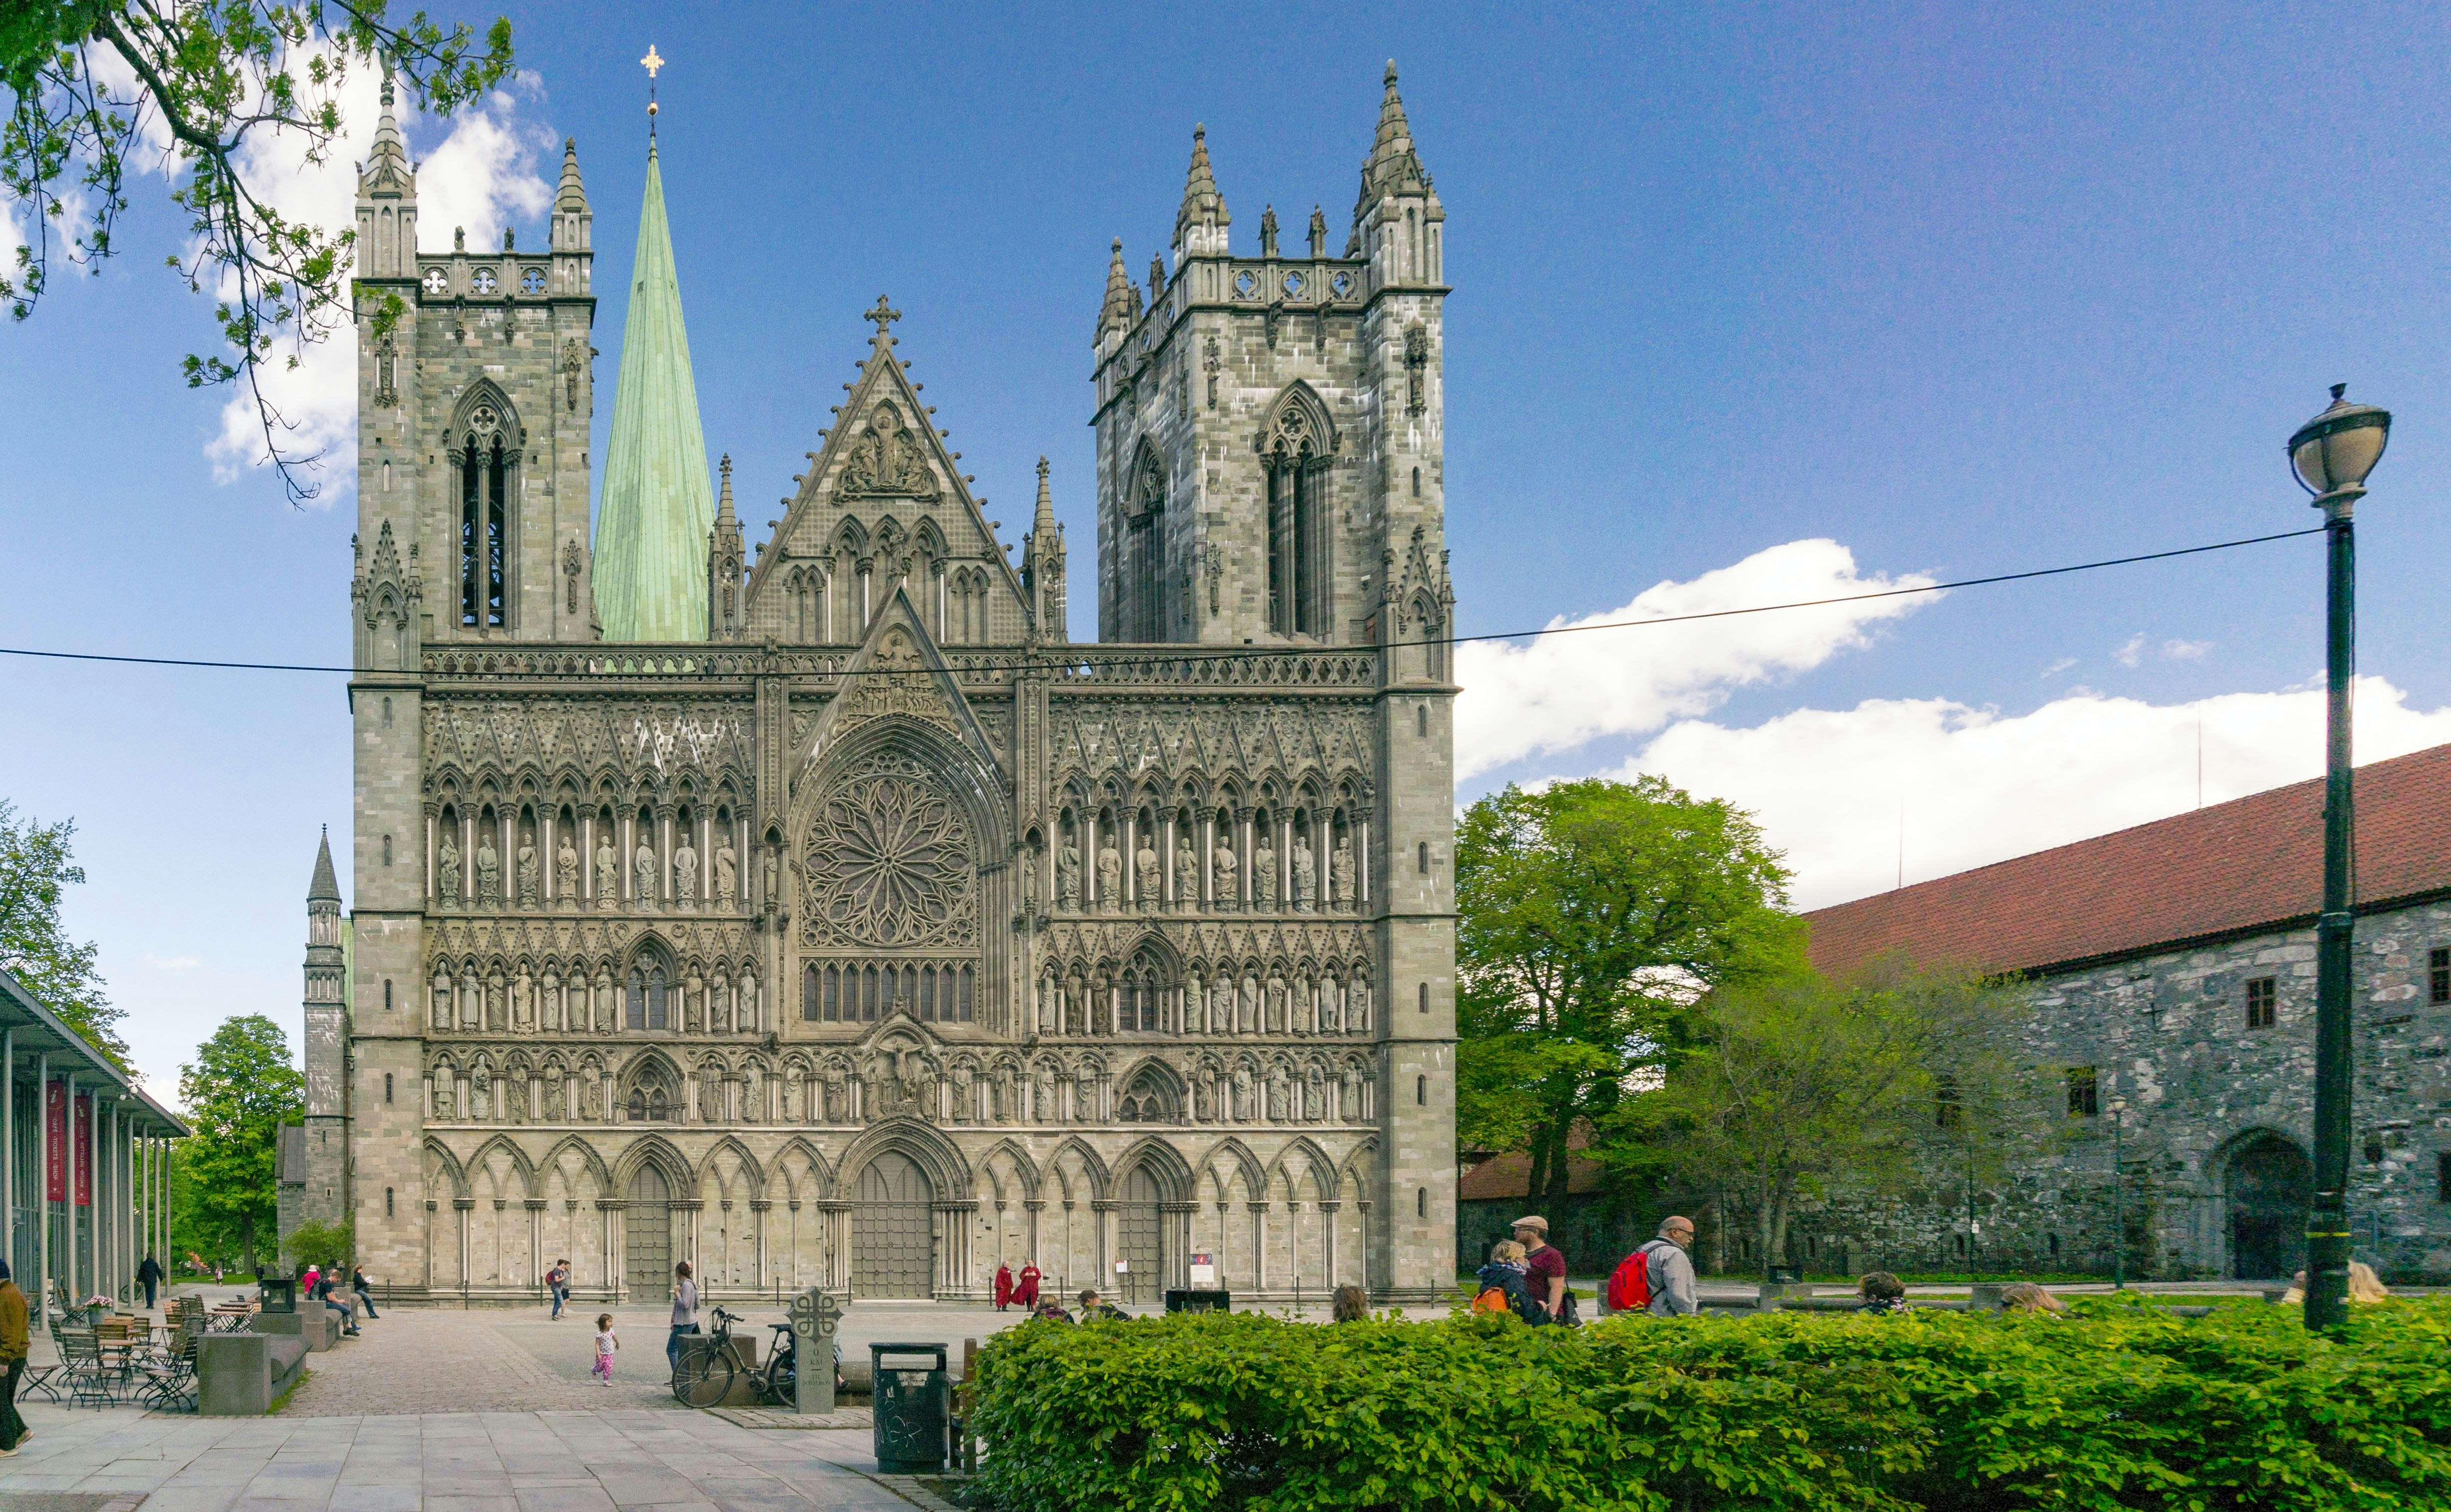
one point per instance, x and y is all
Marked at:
(1952, 288)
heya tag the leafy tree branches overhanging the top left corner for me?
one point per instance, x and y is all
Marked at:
(92, 87)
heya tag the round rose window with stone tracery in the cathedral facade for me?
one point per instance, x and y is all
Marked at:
(888, 866)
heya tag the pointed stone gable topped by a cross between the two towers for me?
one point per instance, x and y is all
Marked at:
(820, 506)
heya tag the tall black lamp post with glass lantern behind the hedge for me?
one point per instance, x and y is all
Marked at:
(2332, 457)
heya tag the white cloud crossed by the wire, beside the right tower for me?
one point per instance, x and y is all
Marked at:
(1567, 690)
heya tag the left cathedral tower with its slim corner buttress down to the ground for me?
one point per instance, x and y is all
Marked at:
(474, 406)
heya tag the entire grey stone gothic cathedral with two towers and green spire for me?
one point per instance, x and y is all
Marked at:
(813, 905)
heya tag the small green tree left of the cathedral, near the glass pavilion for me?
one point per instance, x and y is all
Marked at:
(239, 1094)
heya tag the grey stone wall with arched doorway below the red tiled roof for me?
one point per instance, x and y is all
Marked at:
(2205, 1057)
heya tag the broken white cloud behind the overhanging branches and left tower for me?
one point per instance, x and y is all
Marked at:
(479, 178)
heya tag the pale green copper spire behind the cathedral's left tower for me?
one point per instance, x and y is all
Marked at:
(651, 531)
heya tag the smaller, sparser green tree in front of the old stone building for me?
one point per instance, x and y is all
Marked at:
(1800, 1087)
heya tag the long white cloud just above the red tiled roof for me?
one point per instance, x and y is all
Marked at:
(1979, 788)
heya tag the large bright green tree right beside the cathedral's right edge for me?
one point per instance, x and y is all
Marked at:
(1594, 915)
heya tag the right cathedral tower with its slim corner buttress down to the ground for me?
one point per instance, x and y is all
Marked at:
(1271, 474)
